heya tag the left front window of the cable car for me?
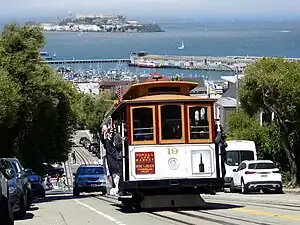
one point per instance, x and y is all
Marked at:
(142, 124)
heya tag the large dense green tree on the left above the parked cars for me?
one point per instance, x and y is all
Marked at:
(39, 112)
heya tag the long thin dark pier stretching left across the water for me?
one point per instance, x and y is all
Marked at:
(85, 61)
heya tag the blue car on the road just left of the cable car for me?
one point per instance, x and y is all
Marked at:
(89, 178)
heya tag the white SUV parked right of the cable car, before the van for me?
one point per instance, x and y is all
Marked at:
(256, 175)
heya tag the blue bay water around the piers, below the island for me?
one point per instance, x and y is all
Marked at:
(213, 39)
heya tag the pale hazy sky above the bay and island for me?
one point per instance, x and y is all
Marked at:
(155, 9)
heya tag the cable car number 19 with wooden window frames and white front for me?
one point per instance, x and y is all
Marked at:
(173, 147)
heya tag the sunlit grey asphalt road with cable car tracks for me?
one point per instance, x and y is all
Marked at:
(60, 208)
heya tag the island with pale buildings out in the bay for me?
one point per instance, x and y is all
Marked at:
(100, 23)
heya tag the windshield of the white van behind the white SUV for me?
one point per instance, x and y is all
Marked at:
(234, 158)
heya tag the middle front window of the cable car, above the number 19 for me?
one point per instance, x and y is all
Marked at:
(171, 122)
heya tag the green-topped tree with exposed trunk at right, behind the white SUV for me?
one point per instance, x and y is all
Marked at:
(274, 85)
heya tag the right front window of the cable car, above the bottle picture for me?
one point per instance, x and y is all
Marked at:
(199, 124)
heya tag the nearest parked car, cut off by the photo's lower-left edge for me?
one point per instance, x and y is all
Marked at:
(6, 213)
